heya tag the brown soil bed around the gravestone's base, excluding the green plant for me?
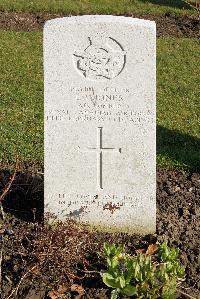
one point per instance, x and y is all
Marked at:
(38, 259)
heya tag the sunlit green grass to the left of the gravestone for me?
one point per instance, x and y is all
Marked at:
(21, 93)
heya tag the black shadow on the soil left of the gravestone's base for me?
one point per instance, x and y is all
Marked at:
(25, 199)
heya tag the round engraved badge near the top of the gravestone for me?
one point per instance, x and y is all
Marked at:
(102, 59)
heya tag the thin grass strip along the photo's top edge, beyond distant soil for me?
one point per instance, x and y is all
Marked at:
(97, 6)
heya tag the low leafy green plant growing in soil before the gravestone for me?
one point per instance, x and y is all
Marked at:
(142, 276)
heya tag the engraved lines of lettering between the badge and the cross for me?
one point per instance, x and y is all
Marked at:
(102, 105)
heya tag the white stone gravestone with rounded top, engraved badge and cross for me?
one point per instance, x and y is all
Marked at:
(99, 89)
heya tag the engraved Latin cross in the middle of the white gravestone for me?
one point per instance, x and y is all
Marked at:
(99, 149)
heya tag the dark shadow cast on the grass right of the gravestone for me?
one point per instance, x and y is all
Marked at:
(180, 147)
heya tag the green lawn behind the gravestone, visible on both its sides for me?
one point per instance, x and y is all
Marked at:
(21, 105)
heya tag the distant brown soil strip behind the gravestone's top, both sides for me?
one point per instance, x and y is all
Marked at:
(167, 24)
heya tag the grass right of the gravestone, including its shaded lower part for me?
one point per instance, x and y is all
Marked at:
(178, 105)
